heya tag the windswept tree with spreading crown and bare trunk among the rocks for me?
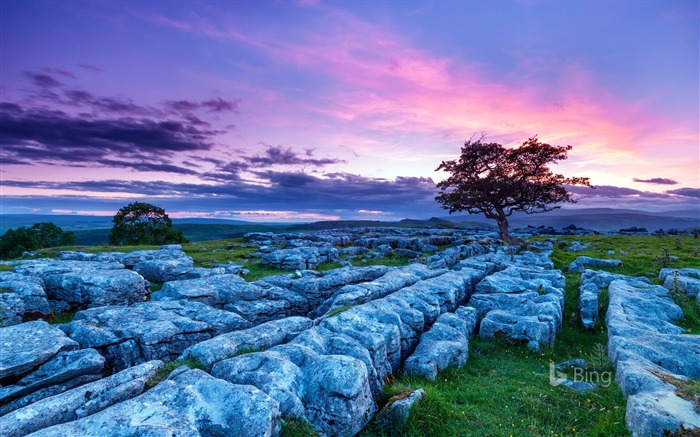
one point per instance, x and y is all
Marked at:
(491, 179)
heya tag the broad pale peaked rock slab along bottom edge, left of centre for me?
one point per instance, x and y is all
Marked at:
(193, 403)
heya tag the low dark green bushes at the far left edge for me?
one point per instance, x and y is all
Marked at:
(38, 236)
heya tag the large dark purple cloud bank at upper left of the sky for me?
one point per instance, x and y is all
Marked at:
(107, 132)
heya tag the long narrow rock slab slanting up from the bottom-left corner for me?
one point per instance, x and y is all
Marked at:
(78, 402)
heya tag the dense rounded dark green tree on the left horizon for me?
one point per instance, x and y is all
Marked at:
(143, 223)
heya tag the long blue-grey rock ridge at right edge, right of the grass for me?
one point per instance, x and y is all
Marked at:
(649, 352)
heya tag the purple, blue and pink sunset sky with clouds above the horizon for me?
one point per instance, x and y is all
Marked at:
(323, 110)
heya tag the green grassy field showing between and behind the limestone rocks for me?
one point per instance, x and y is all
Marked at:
(504, 389)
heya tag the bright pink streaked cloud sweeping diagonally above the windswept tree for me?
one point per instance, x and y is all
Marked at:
(389, 93)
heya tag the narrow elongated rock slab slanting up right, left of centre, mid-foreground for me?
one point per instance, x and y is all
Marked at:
(260, 337)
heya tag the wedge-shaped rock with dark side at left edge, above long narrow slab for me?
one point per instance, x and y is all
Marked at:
(63, 367)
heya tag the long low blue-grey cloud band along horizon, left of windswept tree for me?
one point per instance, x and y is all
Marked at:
(282, 191)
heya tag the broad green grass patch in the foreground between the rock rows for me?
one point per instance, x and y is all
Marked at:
(504, 390)
